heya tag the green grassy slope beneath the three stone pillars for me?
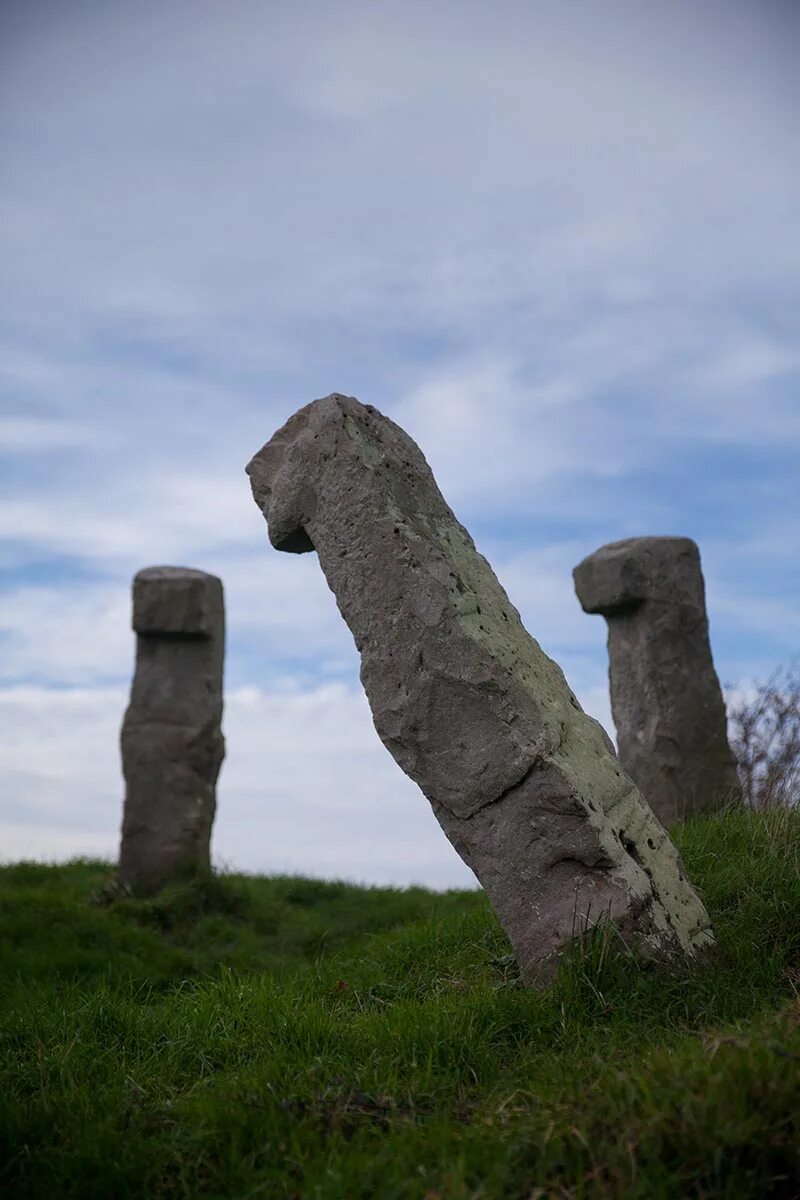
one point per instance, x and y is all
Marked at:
(291, 1039)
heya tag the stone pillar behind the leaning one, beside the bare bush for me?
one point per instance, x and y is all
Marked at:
(666, 697)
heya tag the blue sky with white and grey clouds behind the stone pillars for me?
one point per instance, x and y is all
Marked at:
(558, 243)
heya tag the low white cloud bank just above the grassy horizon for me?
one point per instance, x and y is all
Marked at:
(306, 785)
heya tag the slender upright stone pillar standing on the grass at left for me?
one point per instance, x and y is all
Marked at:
(172, 742)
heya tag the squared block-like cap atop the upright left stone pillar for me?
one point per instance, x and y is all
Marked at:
(179, 602)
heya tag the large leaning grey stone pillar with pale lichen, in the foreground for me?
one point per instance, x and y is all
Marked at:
(526, 787)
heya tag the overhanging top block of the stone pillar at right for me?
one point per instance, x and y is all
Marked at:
(619, 577)
